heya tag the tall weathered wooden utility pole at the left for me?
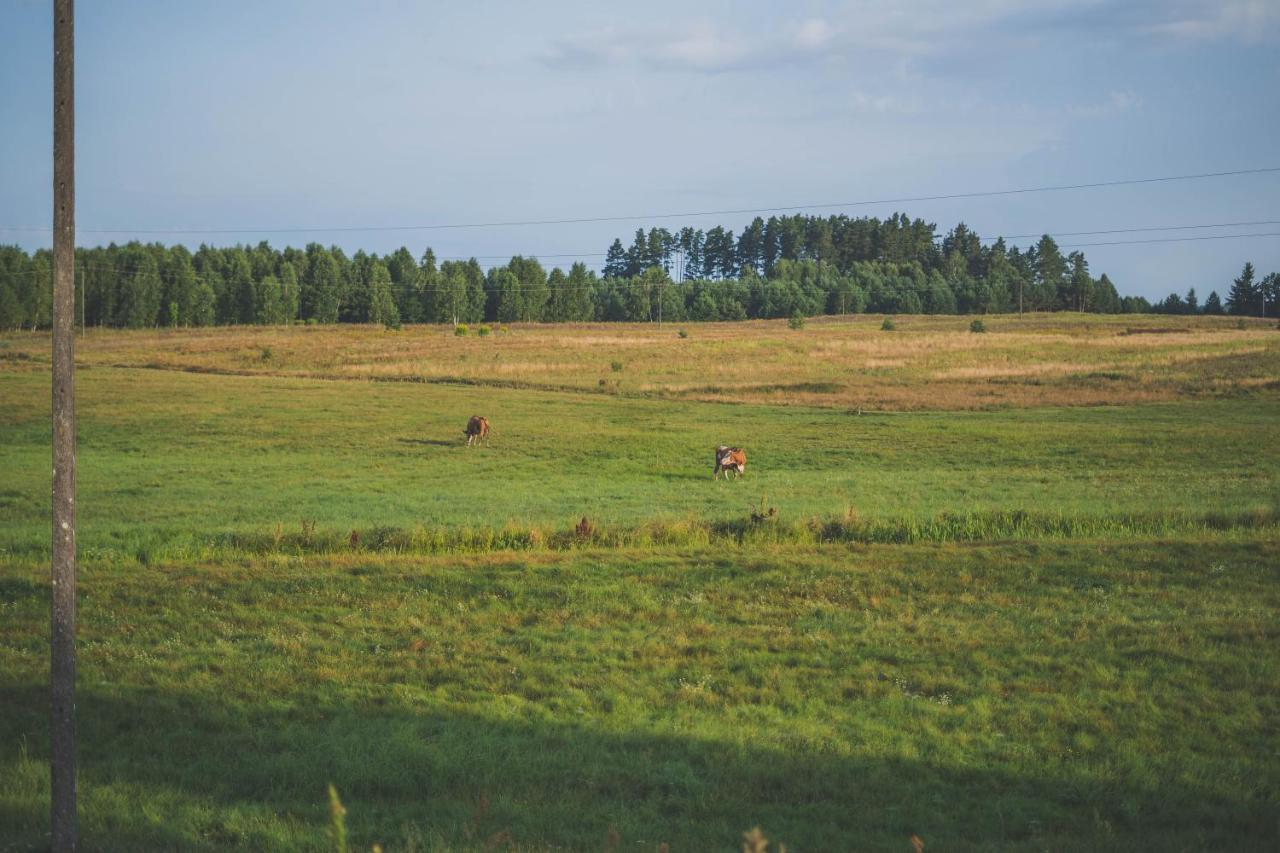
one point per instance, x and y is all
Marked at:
(63, 635)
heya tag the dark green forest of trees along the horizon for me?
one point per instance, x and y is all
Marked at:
(778, 268)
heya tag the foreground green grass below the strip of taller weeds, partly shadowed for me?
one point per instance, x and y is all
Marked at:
(1023, 696)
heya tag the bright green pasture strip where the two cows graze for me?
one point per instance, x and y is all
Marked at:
(176, 464)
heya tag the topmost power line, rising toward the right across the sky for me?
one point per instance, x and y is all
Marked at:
(514, 223)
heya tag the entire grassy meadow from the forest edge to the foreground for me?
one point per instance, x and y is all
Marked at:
(1005, 591)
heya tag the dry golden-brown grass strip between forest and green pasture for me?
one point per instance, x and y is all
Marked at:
(930, 363)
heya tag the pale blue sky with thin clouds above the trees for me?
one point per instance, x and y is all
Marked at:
(273, 116)
